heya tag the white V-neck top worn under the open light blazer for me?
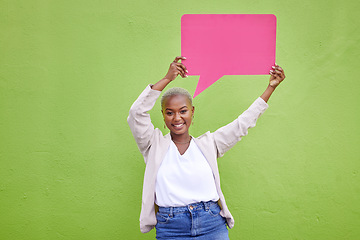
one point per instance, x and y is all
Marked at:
(184, 179)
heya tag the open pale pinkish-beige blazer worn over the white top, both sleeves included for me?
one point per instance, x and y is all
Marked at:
(153, 146)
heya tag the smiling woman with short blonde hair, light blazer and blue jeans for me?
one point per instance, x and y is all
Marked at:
(181, 196)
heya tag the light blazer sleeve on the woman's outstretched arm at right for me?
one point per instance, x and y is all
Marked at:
(226, 137)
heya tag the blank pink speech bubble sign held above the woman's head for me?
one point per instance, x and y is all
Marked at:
(227, 44)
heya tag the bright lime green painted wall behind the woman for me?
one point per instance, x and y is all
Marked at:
(70, 70)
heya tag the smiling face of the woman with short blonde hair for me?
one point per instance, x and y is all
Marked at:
(178, 112)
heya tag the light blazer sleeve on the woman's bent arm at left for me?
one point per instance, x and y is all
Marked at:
(139, 118)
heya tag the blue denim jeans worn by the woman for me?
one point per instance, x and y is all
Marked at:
(198, 221)
